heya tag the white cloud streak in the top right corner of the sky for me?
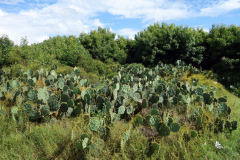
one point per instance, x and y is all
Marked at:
(219, 8)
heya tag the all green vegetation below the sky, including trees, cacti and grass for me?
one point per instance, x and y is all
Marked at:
(76, 98)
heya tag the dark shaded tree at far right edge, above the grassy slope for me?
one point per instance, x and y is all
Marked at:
(223, 44)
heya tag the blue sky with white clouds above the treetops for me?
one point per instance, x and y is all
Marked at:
(39, 19)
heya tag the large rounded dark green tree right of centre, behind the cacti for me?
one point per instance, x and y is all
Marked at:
(169, 43)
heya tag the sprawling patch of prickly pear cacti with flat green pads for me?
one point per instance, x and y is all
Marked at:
(134, 89)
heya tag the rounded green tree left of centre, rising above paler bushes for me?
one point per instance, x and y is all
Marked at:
(101, 45)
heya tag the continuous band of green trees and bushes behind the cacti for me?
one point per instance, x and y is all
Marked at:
(98, 51)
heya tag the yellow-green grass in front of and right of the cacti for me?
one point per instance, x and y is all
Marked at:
(57, 140)
